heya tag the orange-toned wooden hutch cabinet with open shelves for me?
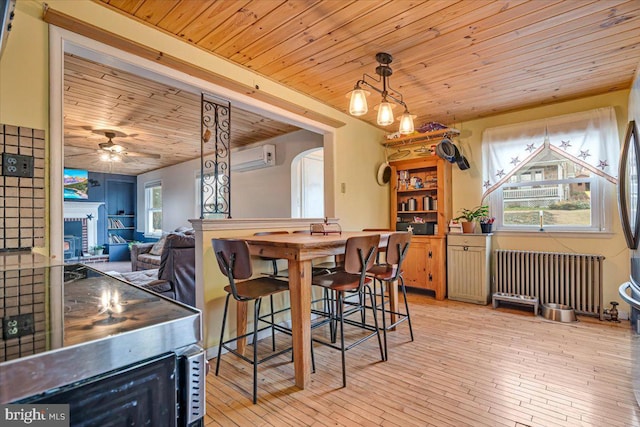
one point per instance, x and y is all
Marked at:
(420, 192)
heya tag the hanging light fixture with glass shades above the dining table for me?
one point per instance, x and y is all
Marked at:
(358, 97)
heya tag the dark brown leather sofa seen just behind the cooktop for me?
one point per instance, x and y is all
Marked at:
(175, 276)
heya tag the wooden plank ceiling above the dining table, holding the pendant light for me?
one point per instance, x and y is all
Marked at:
(453, 60)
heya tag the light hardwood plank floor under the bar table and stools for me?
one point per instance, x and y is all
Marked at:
(468, 366)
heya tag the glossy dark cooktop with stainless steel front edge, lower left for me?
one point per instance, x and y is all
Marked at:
(75, 337)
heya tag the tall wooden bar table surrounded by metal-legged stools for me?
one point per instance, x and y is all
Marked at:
(300, 249)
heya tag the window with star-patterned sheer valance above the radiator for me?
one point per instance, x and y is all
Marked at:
(554, 174)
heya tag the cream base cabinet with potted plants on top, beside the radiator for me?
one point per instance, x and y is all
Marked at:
(468, 267)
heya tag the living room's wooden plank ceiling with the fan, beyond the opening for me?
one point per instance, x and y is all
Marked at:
(158, 125)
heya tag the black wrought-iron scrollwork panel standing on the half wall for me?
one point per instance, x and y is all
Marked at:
(215, 182)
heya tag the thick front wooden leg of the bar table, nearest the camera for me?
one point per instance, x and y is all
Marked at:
(300, 295)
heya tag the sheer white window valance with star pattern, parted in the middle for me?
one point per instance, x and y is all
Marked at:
(588, 138)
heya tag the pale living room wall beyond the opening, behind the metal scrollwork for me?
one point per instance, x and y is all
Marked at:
(261, 193)
